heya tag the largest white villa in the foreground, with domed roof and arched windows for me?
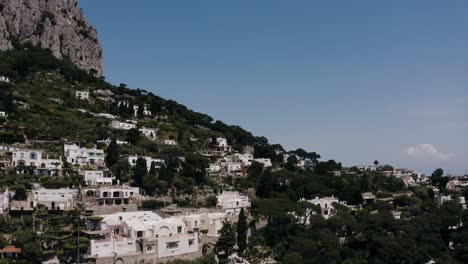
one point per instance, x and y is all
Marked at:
(144, 234)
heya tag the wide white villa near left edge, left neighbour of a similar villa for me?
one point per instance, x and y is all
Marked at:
(34, 158)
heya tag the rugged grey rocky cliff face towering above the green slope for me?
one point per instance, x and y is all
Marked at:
(58, 25)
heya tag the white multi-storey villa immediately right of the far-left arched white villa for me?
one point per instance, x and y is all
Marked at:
(83, 156)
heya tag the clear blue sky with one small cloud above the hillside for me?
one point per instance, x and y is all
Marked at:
(353, 80)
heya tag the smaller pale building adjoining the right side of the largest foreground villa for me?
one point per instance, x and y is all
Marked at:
(209, 223)
